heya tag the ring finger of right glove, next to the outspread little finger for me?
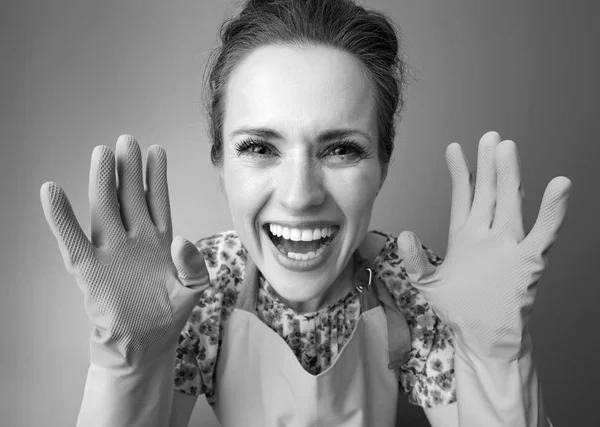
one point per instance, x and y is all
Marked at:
(509, 213)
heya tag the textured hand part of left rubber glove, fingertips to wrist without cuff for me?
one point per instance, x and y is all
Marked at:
(133, 290)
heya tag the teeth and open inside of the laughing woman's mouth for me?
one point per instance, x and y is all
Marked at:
(301, 244)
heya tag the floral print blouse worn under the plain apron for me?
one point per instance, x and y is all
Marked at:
(315, 338)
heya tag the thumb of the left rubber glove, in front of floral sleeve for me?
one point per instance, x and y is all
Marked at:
(191, 269)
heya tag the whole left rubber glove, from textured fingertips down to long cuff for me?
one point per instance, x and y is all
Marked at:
(139, 284)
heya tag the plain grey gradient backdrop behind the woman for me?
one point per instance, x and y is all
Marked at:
(77, 73)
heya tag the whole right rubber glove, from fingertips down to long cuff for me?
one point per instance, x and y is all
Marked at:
(486, 286)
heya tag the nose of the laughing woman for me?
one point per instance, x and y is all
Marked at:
(301, 186)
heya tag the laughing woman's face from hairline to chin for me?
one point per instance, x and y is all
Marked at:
(300, 166)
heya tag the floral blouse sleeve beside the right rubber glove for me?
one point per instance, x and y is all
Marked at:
(428, 377)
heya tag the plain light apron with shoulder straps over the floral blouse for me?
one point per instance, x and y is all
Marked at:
(260, 382)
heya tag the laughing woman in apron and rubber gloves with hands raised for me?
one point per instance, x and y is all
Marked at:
(303, 317)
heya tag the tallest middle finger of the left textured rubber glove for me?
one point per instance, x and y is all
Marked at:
(131, 194)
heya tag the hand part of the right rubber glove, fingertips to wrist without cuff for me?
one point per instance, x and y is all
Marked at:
(485, 288)
